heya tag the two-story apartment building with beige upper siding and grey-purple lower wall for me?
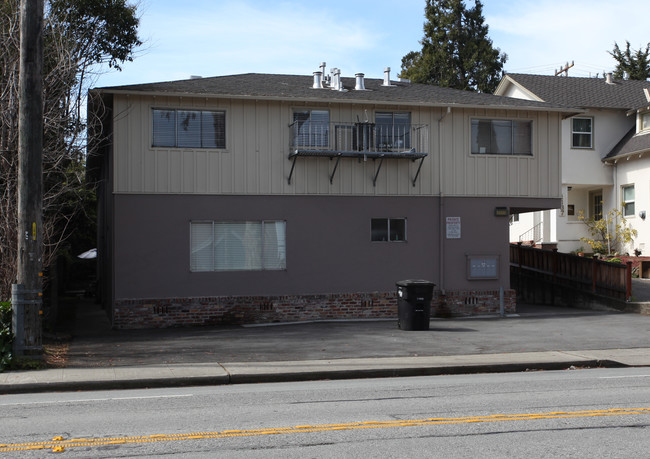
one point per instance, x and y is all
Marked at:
(255, 197)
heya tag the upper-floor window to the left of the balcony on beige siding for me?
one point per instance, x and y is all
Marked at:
(189, 128)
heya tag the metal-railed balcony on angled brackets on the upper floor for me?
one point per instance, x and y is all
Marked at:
(361, 140)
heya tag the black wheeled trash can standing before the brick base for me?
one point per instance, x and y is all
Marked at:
(414, 304)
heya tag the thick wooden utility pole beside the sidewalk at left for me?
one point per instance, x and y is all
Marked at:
(27, 297)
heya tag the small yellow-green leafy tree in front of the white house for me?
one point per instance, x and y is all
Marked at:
(609, 234)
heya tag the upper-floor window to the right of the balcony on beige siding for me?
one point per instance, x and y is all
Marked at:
(501, 137)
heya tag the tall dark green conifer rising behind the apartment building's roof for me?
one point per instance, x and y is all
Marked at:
(456, 51)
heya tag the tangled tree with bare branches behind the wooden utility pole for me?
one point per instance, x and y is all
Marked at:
(79, 36)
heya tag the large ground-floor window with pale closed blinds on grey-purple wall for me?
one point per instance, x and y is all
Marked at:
(238, 246)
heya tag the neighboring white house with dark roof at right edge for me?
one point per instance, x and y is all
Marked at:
(605, 157)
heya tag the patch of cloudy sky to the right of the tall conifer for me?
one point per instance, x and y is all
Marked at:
(545, 34)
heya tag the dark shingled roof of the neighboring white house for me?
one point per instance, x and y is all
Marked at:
(582, 92)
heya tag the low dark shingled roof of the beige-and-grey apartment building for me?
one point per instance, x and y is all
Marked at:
(299, 88)
